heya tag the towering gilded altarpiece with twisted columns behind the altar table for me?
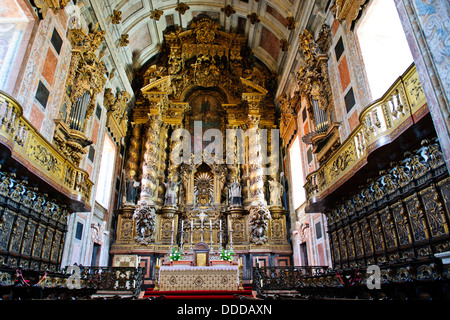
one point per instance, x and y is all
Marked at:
(206, 87)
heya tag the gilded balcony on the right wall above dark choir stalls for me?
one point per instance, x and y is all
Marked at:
(380, 123)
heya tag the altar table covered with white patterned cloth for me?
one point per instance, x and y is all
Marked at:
(182, 277)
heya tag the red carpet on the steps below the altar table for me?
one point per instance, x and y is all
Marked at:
(197, 294)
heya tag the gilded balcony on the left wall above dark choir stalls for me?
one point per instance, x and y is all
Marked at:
(27, 151)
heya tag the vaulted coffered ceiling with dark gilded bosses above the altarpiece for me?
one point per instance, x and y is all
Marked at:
(272, 27)
